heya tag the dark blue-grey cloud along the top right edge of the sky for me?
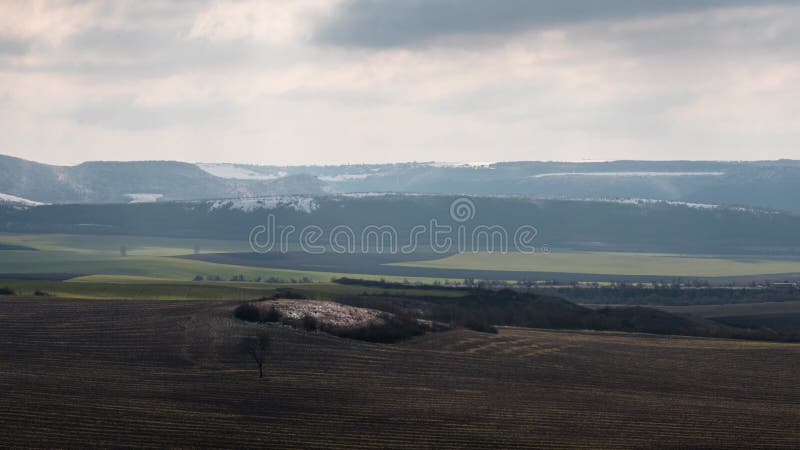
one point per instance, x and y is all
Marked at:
(392, 23)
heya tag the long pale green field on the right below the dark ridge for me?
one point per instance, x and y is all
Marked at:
(608, 263)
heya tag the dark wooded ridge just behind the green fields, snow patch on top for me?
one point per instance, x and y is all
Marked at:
(635, 226)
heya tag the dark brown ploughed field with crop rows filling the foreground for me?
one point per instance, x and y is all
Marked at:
(78, 373)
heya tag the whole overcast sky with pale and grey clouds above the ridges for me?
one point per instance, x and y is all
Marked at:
(338, 81)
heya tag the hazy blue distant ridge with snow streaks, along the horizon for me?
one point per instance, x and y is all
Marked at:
(759, 184)
